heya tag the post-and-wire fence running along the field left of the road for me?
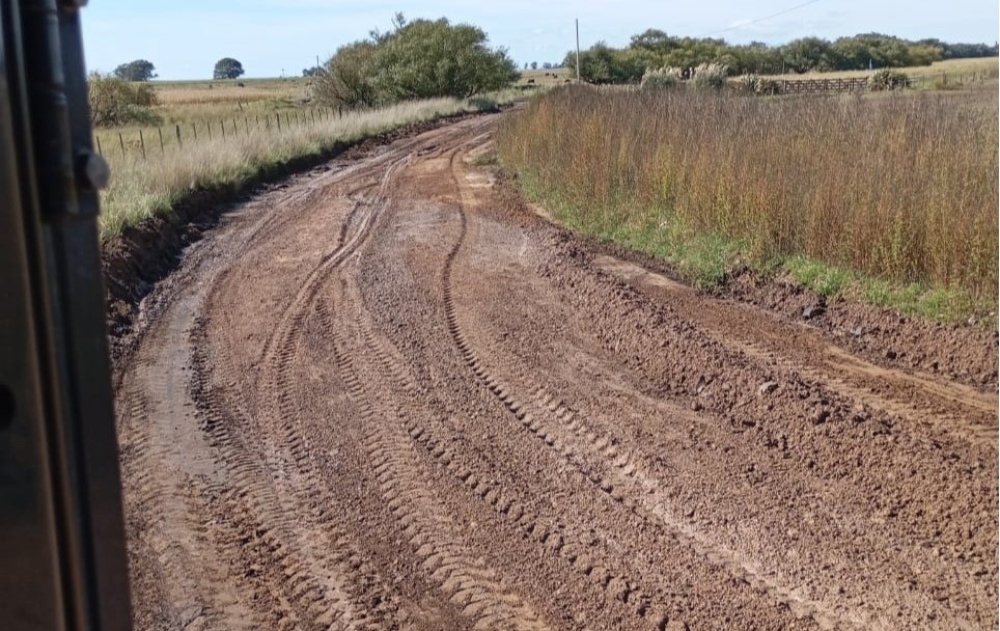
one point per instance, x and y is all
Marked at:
(141, 143)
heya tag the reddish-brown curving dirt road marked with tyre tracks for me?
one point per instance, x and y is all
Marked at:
(386, 396)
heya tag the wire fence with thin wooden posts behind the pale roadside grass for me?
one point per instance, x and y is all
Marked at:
(132, 142)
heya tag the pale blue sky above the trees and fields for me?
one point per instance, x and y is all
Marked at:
(272, 38)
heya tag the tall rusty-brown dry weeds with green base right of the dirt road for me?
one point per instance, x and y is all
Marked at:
(902, 188)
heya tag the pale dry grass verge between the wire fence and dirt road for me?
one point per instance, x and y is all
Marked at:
(141, 188)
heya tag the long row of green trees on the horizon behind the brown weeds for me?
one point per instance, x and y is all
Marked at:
(654, 48)
